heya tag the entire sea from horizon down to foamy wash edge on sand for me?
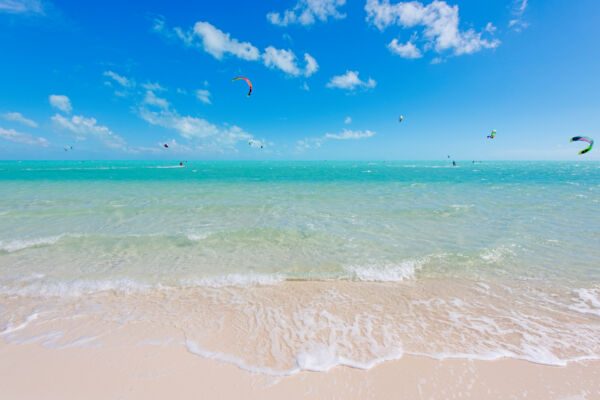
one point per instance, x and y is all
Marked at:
(280, 267)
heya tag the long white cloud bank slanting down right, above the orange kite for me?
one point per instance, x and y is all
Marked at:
(219, 44)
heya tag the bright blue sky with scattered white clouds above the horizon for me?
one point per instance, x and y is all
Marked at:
(118, 80)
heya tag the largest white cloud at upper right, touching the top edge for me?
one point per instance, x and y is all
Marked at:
(440, 22)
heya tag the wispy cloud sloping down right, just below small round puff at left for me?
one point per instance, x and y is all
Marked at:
(84, 127)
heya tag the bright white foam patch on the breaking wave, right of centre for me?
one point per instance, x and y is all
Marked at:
(384, 273)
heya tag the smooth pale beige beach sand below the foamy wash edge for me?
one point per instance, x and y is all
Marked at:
(29, 371)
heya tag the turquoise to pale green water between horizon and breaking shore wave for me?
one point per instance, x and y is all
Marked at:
(312, 220)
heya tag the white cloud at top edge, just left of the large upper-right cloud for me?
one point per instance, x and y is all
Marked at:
(306, 12)
